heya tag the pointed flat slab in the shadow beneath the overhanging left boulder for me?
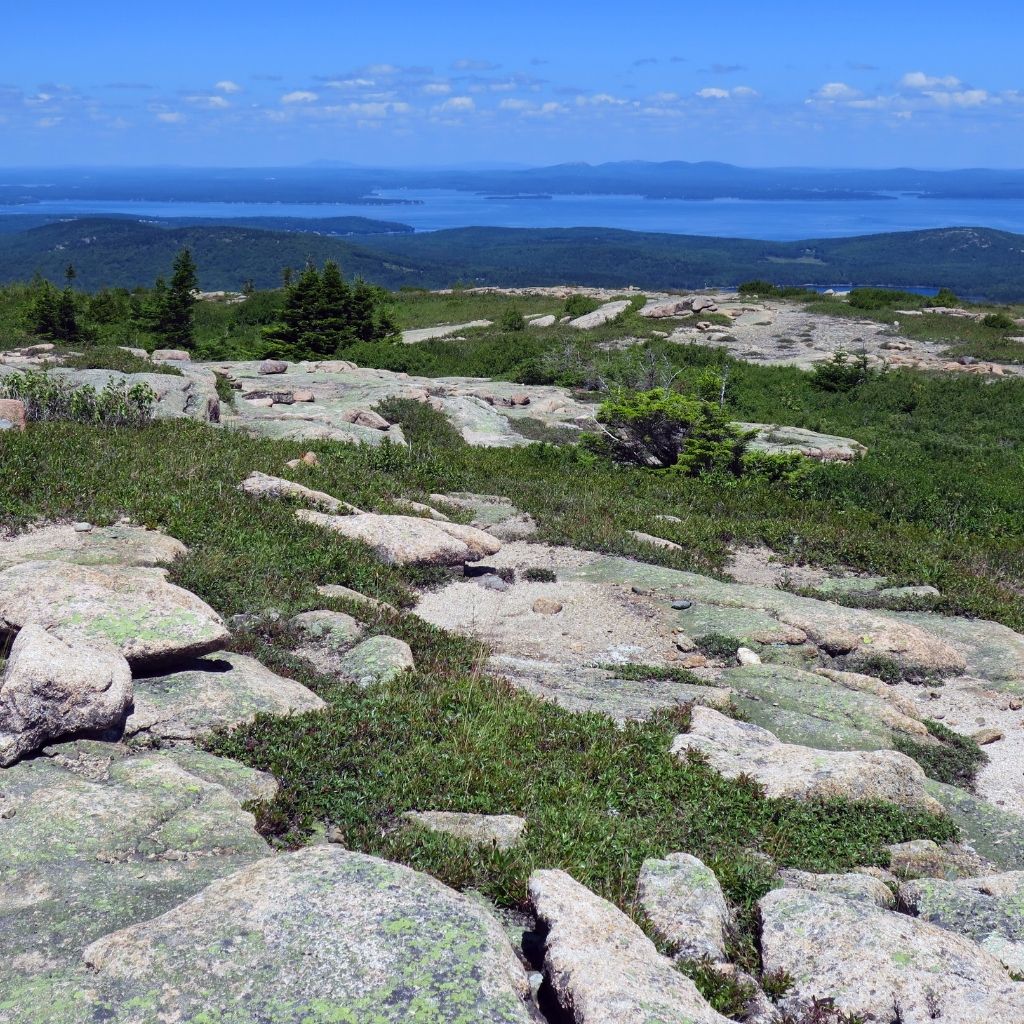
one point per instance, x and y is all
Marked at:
(221, 692)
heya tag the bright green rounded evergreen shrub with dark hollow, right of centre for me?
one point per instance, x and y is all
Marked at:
(665, 431)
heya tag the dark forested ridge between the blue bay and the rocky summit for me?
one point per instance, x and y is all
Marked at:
(974, 262)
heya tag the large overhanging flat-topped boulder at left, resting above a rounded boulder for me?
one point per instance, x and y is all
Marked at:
(149, 620)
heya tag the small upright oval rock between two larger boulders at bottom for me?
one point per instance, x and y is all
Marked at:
(686, 906)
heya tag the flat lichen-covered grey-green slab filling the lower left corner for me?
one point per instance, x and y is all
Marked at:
(94, 840)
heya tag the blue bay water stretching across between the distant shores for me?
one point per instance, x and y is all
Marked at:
(429, 210)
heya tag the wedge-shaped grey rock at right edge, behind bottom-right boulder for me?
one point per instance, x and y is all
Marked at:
(990, 910)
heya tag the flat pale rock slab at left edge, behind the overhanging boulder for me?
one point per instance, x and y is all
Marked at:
(119, 545)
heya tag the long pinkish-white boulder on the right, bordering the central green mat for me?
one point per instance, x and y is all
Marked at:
(736, 749)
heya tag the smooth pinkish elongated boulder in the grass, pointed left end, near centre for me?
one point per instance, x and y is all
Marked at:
(403, 540)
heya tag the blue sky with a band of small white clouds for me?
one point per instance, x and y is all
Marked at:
(449, 83)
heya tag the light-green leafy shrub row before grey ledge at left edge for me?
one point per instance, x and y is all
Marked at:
(48, 398)
